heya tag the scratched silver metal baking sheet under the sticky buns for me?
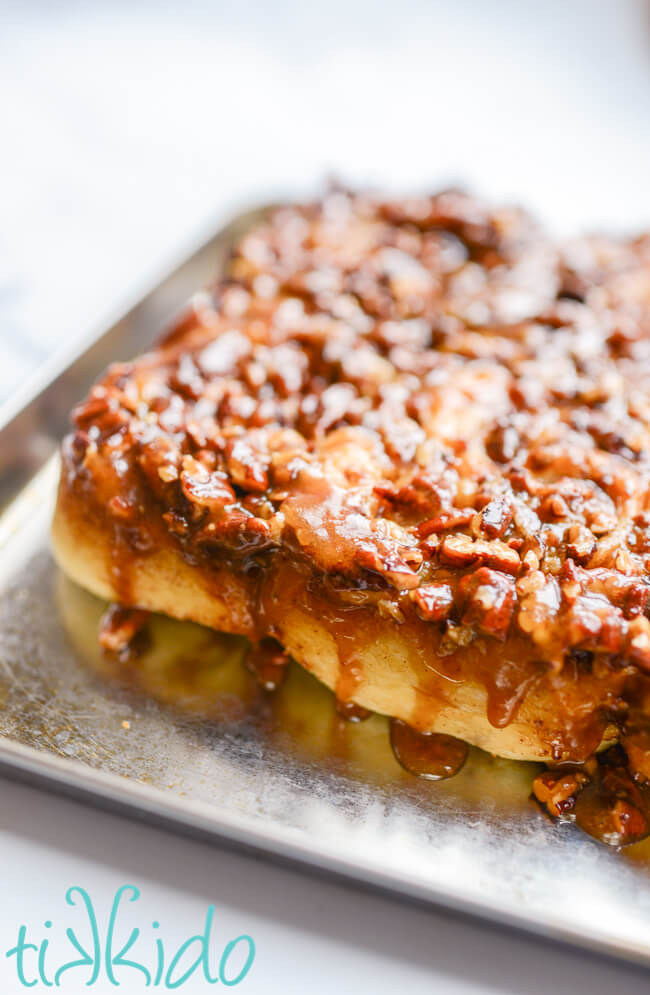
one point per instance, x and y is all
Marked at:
(187, 738)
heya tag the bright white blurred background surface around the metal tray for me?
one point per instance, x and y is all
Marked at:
(130, 129)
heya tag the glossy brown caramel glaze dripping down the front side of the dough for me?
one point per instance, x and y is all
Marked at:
(257, 582)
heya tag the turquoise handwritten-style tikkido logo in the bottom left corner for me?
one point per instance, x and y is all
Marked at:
(102, 957)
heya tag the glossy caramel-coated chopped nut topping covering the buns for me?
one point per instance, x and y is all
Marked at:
(400, 395)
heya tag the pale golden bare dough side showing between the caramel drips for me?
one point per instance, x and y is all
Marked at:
(390, 671)
